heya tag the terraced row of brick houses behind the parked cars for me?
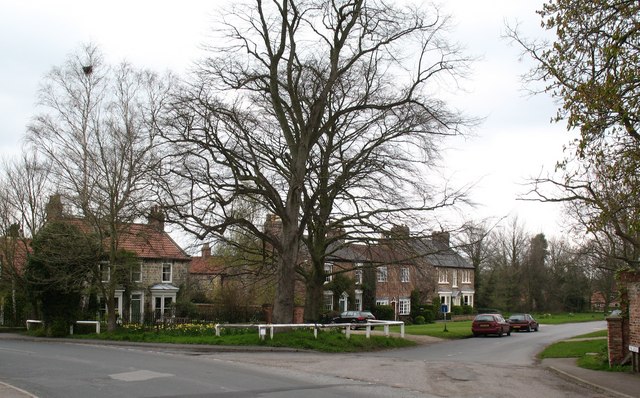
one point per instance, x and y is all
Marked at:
(427, 265)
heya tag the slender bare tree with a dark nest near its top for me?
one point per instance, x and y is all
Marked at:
(98, 130)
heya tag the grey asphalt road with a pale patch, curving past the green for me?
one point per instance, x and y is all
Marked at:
(477, 367)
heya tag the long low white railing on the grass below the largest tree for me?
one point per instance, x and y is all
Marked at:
(270, 327)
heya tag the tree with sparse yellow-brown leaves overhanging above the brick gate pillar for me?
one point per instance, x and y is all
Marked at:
(592, 69)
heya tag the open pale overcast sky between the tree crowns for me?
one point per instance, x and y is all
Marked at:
(515, 141)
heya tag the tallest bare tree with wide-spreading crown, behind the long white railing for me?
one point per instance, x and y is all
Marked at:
(319, 111)
